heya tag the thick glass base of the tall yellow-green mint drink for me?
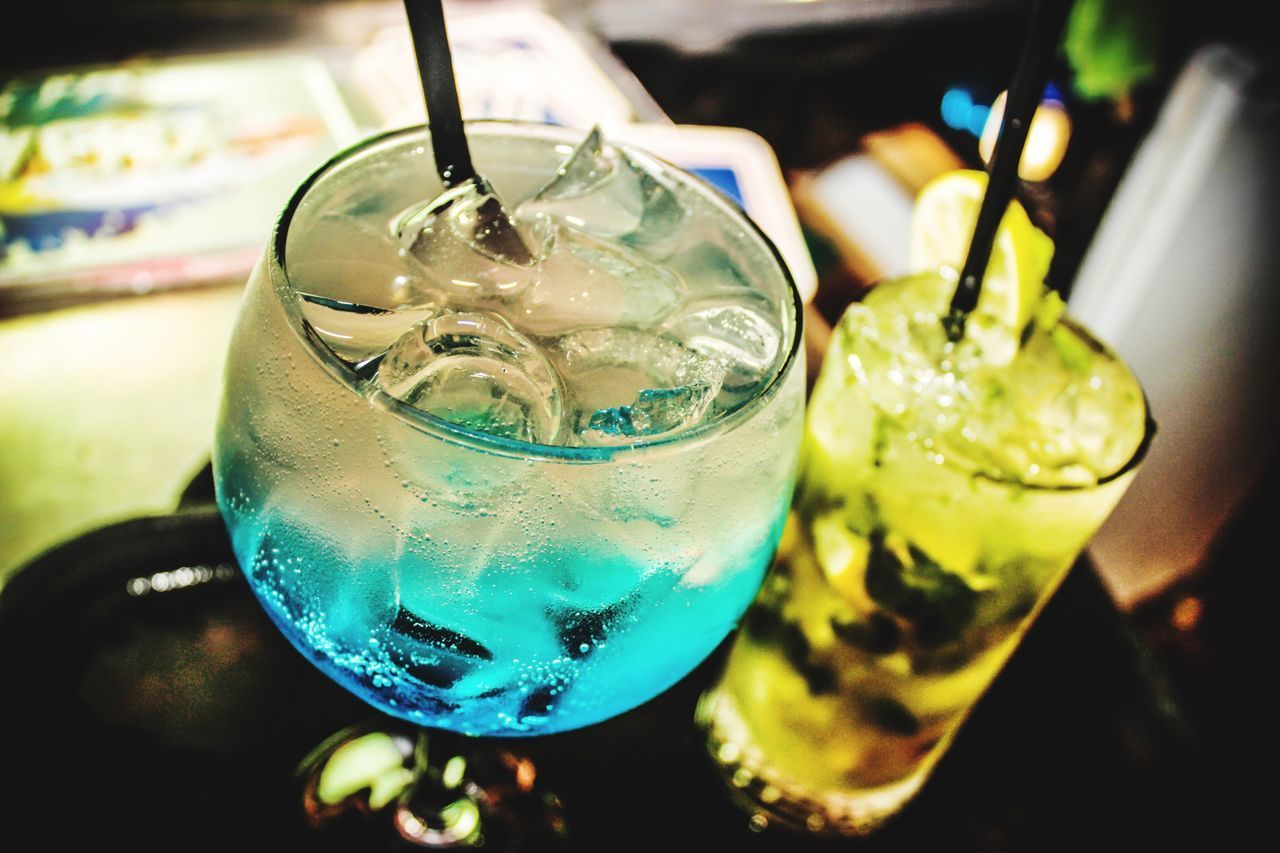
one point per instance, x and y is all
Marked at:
(774, 799)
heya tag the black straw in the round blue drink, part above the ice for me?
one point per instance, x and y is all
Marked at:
(445, 115)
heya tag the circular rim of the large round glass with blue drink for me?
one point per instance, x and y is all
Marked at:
(478, 440)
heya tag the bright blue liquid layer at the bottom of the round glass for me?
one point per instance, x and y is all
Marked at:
(556, 641)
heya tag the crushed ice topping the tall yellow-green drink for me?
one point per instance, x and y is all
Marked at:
(1064, 413)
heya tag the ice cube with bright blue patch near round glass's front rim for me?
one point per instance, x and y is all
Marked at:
(628, 384)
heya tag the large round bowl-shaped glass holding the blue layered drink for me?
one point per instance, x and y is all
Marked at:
(458, 576)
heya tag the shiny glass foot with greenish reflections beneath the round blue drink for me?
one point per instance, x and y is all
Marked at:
(438, 791)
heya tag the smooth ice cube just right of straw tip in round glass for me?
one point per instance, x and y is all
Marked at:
(584, 282)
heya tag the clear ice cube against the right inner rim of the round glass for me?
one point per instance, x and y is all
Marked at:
(740, 335)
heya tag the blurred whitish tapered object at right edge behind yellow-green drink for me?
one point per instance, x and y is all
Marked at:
(1182, 281)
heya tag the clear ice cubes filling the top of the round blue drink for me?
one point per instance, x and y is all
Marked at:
(607, 308)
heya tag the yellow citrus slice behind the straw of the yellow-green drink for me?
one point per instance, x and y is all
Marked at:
(941, 227)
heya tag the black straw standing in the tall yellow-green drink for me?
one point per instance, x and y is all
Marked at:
(1025, 97)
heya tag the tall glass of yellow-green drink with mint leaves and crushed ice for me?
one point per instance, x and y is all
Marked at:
(941, 501)
